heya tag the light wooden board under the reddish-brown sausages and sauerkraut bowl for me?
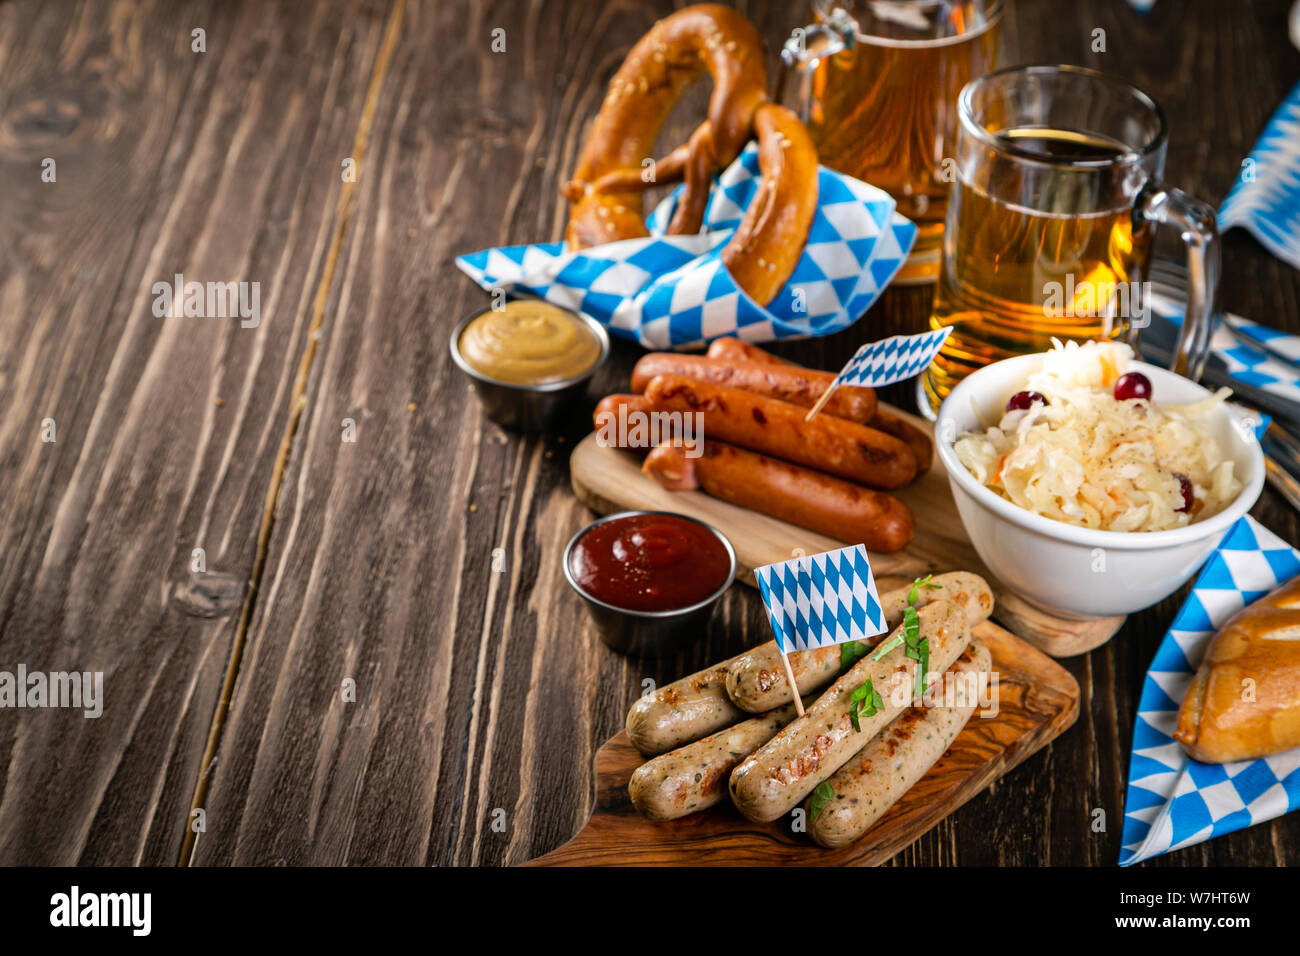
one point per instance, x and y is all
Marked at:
(608, 481)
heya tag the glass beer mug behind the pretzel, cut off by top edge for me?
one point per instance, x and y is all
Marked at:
(877, 84)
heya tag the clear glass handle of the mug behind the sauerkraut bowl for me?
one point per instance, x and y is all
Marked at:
(1199, 230)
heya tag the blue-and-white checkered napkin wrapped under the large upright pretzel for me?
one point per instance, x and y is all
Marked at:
(673, 292)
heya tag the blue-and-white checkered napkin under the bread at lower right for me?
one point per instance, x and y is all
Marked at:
(1173, 801)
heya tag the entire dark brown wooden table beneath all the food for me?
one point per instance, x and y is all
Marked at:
(422, 560)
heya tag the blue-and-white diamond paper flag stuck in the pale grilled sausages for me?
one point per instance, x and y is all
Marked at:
(818, 600)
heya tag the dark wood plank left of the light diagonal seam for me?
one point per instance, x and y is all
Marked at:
(220, 166)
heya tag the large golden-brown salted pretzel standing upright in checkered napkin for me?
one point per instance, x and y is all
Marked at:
(605, 193)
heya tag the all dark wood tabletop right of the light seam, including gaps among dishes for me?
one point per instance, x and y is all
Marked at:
(483, 694)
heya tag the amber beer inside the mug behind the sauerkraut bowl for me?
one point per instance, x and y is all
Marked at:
(1016, 278)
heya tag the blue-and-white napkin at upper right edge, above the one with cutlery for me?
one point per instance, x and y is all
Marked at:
(1267, 194)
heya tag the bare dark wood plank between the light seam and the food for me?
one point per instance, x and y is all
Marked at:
(470, 682)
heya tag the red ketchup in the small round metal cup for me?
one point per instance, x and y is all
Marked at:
(649, 563)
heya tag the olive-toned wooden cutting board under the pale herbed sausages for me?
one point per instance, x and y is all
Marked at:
(1038, 700)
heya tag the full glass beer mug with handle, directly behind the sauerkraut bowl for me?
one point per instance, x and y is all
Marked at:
(1051, 223)
